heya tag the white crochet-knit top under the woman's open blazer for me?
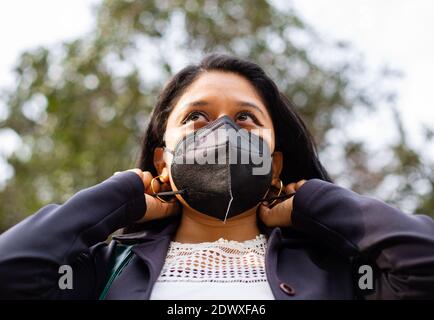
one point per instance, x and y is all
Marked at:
(223, 269)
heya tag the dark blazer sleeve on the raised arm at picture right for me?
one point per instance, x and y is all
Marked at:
(400, 245)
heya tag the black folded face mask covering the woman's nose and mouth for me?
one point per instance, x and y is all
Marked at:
(221, 169)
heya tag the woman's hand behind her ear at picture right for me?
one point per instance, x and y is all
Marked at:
(280, 214)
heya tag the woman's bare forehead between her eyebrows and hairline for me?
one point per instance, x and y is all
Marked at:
(215, 84)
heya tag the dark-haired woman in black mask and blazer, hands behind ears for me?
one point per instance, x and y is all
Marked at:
(200, 223)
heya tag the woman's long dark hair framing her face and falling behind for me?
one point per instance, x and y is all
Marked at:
(300, 159)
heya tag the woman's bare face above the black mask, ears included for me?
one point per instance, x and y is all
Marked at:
(212, 95)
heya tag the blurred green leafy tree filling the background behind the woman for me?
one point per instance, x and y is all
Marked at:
(81, 107)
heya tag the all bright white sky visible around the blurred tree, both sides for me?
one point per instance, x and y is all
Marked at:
(396, 33)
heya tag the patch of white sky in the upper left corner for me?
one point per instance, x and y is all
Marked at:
(26, 24)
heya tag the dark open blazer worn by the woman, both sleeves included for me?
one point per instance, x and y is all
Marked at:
(333, 230)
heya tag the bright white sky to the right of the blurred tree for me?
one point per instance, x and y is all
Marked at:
(388, 32)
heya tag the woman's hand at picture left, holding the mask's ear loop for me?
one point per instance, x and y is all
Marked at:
(155, 209)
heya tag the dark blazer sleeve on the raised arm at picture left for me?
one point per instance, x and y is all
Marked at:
(32, 251)
